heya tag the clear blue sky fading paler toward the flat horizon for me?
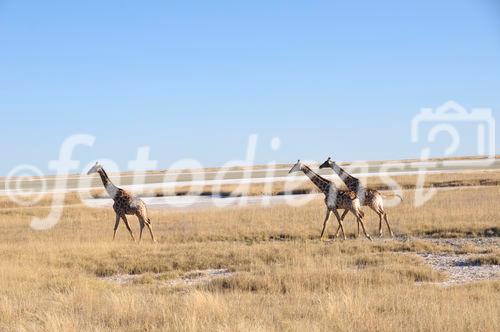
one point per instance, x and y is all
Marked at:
(193, 79)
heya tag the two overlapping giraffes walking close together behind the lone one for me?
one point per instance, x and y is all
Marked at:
(349, 200)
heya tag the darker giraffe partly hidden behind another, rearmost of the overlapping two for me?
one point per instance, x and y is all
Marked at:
(368, 197)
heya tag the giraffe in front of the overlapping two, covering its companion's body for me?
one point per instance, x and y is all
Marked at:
(335, 199)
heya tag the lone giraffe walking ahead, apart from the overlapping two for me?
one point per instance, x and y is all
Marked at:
(125, 204)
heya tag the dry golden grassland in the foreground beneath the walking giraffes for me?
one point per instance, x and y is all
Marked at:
(282, 277)
